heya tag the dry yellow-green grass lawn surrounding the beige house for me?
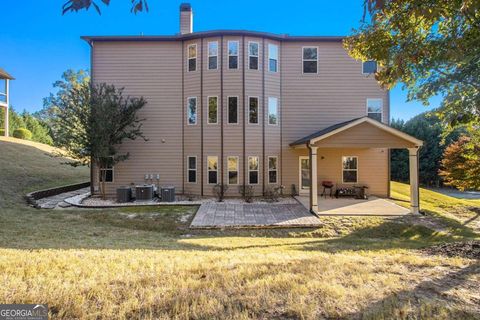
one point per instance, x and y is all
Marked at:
(146, 263)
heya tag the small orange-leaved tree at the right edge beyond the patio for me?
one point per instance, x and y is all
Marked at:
(461, 164)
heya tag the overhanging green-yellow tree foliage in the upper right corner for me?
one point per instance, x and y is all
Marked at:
(431, 46)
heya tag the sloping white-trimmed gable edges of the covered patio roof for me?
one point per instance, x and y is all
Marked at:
(339, 127)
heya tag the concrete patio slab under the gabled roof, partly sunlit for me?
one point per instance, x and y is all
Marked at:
(356, 207)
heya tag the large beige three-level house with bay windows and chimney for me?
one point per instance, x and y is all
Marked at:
(239, 108)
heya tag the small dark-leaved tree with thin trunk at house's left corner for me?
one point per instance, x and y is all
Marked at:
(93, 121)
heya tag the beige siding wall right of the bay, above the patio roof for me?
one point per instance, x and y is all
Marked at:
(311, 102)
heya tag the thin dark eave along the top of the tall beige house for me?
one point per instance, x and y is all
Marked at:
(215, 33)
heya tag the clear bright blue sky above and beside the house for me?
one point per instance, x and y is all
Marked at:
(38, 43)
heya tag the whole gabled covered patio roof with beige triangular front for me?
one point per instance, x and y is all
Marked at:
(359, 132)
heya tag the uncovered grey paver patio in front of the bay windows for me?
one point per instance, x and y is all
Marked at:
(238, 215)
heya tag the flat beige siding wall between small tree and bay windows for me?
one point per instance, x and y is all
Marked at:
(142, 68)
